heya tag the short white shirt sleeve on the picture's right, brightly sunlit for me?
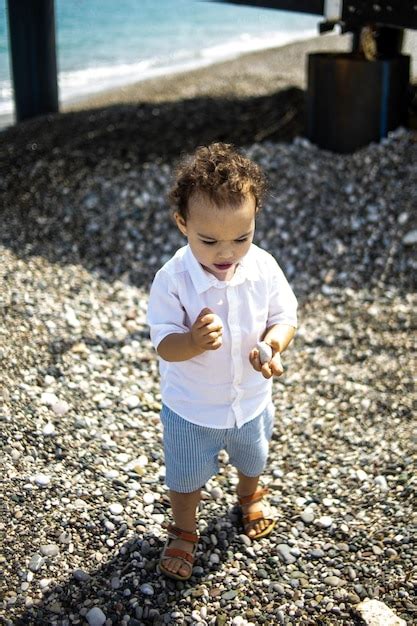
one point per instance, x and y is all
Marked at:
(282, 301)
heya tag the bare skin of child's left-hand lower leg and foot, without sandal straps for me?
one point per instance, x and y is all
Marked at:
(184, 507)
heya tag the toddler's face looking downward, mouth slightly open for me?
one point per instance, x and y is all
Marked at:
(218, 237)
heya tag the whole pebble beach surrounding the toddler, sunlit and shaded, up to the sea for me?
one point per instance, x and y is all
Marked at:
(84, 227)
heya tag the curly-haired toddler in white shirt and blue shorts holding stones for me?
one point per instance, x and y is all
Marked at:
(209, 305)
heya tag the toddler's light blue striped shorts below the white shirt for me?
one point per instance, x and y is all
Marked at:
(191, 451)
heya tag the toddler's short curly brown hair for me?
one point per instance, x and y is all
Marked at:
(220, 172)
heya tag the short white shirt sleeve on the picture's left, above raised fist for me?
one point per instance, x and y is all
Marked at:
(165, 314)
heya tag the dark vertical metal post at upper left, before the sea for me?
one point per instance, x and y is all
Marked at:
(33, 55)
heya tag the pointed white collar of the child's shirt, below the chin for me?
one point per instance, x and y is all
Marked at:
(203, 280)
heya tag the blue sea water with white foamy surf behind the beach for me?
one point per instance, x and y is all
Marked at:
(106, 43)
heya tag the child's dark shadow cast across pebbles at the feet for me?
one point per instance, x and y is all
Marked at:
(130, 583)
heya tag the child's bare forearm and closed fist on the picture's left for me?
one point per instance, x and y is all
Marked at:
(205, 334)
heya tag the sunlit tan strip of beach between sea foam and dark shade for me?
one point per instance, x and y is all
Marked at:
(253, 73)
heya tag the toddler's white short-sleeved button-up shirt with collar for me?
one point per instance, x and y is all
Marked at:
(219, 388)
